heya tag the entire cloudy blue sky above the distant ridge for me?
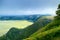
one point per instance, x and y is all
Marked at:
(28, 7)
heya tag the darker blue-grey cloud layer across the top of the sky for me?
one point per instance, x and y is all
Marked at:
(29, 4)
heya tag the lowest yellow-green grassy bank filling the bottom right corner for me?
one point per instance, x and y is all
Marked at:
(52, 34)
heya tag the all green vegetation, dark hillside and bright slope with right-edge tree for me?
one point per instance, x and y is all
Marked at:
(37, 31)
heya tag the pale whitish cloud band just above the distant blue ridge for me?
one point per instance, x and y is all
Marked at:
(29, 12)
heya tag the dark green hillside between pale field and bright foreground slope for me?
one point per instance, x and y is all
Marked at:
(19, 34)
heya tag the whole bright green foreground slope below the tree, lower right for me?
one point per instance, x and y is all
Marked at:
(49, 32)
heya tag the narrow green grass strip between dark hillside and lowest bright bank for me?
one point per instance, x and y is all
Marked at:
(48, 27)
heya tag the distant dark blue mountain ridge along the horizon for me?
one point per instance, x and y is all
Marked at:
(32, 18)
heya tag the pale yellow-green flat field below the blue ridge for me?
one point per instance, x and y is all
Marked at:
(6, 25)
